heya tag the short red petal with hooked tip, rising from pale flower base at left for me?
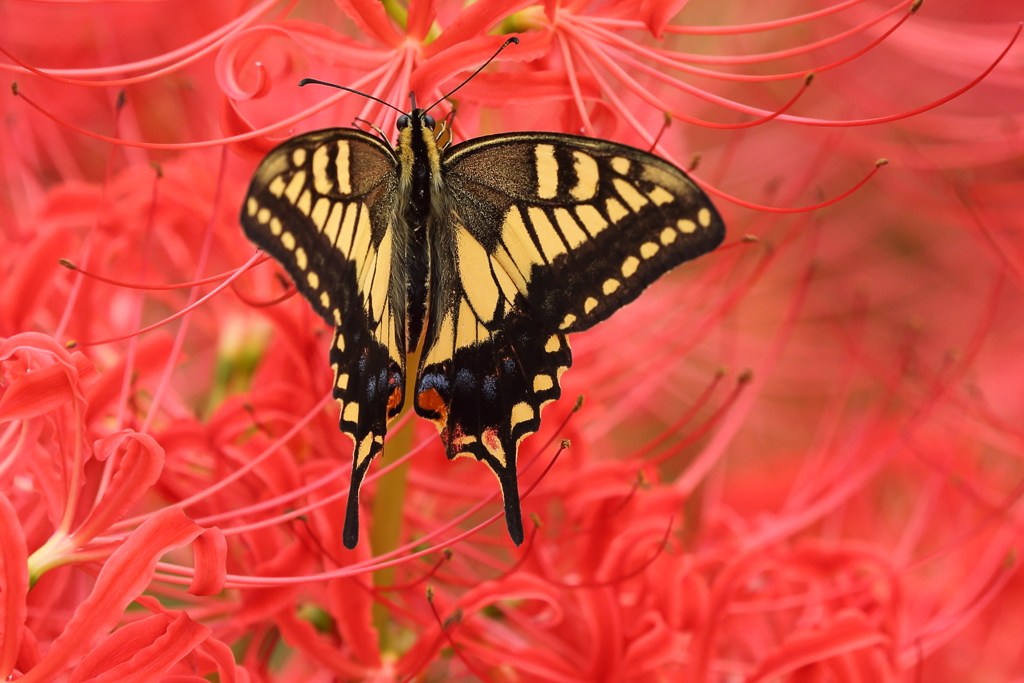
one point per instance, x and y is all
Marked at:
(139, 469)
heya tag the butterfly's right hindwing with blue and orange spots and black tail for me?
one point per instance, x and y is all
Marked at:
(489, 366)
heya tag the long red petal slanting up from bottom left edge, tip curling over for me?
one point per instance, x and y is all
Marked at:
(124, 577)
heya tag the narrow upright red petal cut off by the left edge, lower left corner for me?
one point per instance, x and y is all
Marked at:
(14, 586)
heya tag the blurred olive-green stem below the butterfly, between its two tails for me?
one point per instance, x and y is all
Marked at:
(386, 531)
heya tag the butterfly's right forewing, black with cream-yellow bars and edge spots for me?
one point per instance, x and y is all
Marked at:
(582, 227)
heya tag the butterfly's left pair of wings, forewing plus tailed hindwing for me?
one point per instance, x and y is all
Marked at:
(324, 206)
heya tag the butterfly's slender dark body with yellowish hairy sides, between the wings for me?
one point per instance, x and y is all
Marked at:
(419, 163)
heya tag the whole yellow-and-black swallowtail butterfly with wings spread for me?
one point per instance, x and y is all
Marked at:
(466, 267)
